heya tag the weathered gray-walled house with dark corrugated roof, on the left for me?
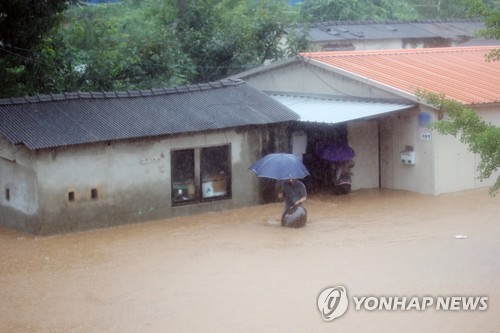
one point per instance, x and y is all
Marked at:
(77, 161)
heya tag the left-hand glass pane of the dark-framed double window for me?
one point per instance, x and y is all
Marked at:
(182, 165)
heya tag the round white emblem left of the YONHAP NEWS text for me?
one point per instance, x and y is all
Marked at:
(333, 302)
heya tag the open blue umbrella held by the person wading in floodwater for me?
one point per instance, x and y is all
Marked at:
(279, 166)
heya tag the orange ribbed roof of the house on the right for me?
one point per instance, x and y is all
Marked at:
(461, 73)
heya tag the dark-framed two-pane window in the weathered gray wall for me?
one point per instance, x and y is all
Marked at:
(201, 174)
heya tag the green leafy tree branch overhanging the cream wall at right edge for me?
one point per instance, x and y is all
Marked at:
(480, 137)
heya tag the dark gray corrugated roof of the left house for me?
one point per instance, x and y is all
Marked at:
(76, 118)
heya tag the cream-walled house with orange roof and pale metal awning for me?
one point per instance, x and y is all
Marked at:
(368, 100)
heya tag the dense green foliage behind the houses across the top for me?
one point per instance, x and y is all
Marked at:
(50, 46)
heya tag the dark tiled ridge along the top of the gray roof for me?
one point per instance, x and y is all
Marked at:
(121, 94)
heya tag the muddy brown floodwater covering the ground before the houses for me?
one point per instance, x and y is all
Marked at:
(239, 271)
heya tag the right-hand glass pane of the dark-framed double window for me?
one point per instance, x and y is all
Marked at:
(215, 164)
